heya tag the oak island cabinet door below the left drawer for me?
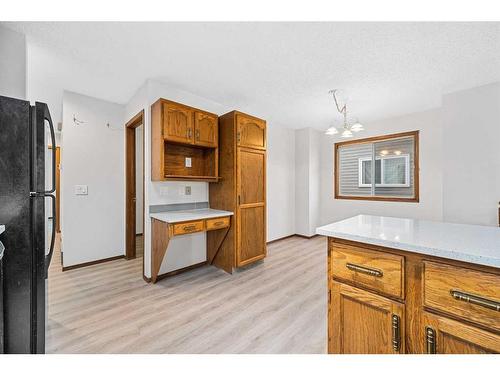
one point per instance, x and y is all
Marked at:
(362, 322)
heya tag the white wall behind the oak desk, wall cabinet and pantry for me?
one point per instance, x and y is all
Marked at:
(190, 249)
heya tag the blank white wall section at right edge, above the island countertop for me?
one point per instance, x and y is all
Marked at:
(471, 153)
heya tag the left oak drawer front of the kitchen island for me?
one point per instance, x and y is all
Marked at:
(374, 270)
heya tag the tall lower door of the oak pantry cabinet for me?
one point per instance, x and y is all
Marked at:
(251, 206)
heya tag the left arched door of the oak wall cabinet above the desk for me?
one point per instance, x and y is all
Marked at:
(177, 123)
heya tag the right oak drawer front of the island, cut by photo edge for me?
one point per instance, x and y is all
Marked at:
(469, 294)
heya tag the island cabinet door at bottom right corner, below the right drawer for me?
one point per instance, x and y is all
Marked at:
(447, 336)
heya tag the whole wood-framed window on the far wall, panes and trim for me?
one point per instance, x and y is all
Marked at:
(378, 168)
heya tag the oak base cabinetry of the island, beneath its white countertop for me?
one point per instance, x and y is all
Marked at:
(384, 300)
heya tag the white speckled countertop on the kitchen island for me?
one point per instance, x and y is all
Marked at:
(468, 243)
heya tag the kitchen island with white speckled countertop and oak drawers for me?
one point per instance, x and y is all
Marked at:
(400, 285)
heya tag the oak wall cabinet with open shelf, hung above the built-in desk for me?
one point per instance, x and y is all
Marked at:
(180, 133)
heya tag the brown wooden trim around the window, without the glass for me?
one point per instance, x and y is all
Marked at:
(416, 177)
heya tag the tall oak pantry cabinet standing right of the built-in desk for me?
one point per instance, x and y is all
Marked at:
(242, 190)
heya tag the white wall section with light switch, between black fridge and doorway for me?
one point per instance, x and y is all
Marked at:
(93, 154)
